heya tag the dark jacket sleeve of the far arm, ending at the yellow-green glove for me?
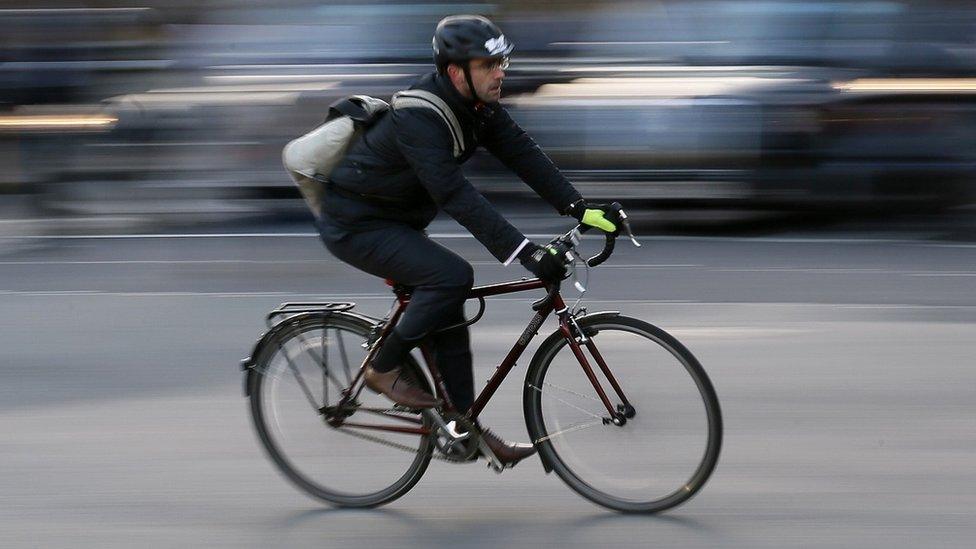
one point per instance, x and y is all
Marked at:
(509, 143)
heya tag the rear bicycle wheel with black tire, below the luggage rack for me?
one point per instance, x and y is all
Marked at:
(303, 370)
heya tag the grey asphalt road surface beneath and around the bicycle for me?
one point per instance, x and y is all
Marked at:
(844, 367)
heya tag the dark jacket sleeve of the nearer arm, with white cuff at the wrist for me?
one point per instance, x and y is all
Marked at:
(425, 142)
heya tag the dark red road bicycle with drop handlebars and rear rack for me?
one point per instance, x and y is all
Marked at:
(646, 445)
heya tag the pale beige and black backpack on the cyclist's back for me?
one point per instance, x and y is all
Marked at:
(311, 158)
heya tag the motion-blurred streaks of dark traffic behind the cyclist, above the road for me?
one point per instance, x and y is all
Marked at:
(175, 111)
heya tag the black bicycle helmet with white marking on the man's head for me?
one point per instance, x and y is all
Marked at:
(460, 38)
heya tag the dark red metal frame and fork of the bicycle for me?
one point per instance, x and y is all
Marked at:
(553, 302)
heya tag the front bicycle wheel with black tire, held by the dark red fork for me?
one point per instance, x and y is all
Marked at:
(667, 447)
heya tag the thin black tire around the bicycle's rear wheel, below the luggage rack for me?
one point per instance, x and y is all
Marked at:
(257, 391)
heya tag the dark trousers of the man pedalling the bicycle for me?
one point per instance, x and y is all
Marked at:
(441, 280)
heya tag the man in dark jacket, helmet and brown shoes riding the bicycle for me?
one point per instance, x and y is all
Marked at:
(394, 179)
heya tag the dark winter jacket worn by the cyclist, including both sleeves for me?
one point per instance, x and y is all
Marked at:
(404, 169)
